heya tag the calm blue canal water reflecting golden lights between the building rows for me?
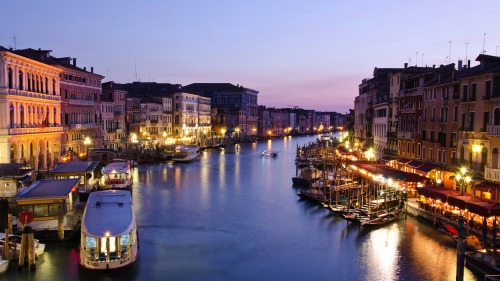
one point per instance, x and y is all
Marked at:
(235, 215)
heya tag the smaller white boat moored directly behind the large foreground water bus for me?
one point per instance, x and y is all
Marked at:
(116, 175)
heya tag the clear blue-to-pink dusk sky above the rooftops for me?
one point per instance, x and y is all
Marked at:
(312, 54)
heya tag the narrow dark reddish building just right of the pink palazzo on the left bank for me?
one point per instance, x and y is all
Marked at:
(113, 116)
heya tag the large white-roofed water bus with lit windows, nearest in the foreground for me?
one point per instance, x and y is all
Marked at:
(109, 237)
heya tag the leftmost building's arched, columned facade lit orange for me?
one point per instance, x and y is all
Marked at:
(30, 111)
